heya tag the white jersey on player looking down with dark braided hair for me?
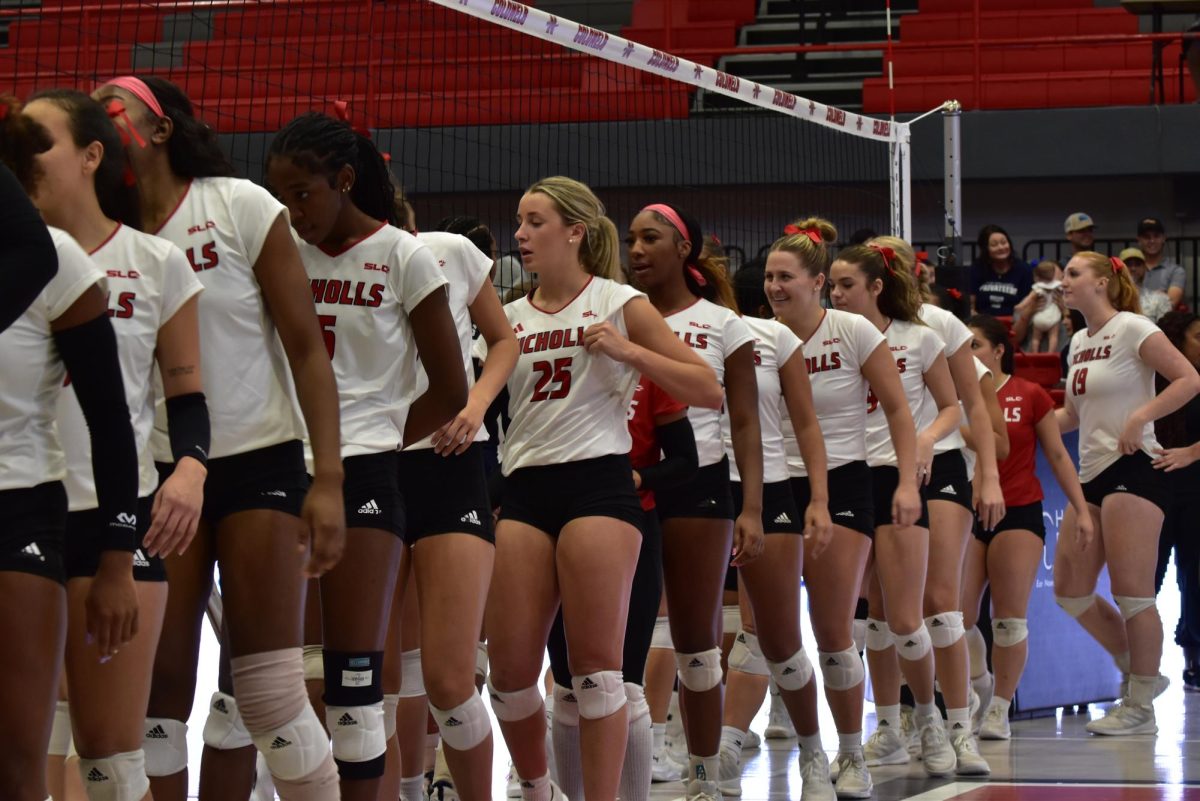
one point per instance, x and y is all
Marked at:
(364, 296)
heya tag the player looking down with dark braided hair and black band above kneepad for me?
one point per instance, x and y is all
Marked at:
(382, 303)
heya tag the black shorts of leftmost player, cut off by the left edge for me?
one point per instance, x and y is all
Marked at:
(35, 520)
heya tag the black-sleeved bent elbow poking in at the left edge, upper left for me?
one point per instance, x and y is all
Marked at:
(28, 260)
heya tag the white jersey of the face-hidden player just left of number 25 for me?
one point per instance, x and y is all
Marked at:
(467, 272)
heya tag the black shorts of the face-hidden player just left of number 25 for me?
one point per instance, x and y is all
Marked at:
(446, 495)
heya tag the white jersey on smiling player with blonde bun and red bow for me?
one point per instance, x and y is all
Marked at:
(835, 357)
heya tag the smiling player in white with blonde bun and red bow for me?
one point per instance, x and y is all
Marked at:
(847, 359)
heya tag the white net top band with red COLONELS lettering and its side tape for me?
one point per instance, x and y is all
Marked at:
(584, 39)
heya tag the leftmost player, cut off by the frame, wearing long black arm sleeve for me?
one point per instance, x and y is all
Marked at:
(67, 329)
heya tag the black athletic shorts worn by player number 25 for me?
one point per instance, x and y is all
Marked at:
(550, 497)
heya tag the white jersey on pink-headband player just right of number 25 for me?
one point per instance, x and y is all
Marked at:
(715, 333)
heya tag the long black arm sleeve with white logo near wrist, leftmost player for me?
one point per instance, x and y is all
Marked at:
(89, 353)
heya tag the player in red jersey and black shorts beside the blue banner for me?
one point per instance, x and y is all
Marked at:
(1009, 556)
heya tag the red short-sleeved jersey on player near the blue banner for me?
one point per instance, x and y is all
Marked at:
(1024, 405)
